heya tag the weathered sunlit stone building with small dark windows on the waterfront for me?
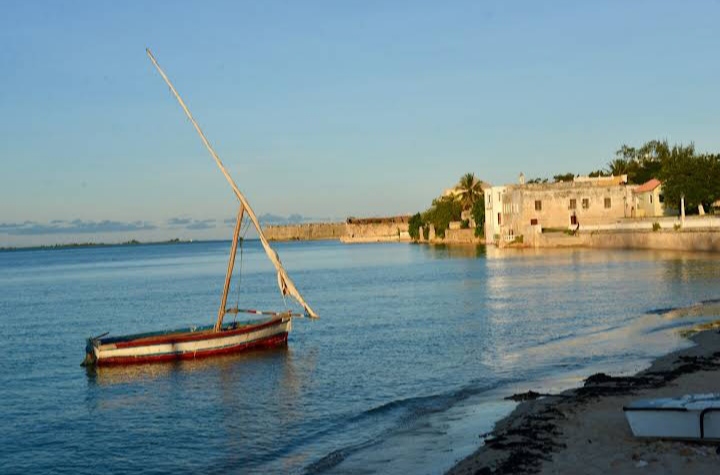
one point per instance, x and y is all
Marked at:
(526, 209)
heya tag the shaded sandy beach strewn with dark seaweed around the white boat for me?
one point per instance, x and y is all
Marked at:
(584, 431)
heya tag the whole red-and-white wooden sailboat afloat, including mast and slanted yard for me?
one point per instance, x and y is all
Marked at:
(221, 338)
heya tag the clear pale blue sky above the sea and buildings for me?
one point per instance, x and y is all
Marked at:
(326, 109)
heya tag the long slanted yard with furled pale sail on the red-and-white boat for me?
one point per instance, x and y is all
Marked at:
(287, 287)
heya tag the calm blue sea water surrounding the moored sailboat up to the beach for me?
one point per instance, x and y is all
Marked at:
(415, 348)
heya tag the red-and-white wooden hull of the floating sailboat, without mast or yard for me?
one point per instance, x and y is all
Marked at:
(187, 344)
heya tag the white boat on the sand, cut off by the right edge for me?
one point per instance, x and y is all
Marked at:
(695, 417)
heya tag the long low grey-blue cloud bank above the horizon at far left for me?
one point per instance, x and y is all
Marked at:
(77, 226)
